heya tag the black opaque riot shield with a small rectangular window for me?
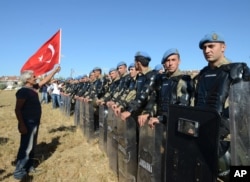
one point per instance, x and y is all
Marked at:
(192, 144)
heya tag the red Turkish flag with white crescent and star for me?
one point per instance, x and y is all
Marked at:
(46, 57)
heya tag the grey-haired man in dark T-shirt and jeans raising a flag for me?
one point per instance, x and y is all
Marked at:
(28, 112)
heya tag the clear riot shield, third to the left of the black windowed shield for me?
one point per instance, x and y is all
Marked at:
(112, 141)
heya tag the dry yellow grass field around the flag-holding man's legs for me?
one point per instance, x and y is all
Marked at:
(63, 154)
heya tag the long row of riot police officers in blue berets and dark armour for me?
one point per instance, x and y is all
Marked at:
(146, 95)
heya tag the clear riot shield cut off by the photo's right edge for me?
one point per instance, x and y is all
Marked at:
(240, 123)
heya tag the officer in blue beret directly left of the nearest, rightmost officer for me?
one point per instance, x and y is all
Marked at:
(171, 87)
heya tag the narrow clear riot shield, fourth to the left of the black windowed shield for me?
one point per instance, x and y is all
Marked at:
(103, 113)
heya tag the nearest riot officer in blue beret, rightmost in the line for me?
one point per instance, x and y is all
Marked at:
(212, 91)
